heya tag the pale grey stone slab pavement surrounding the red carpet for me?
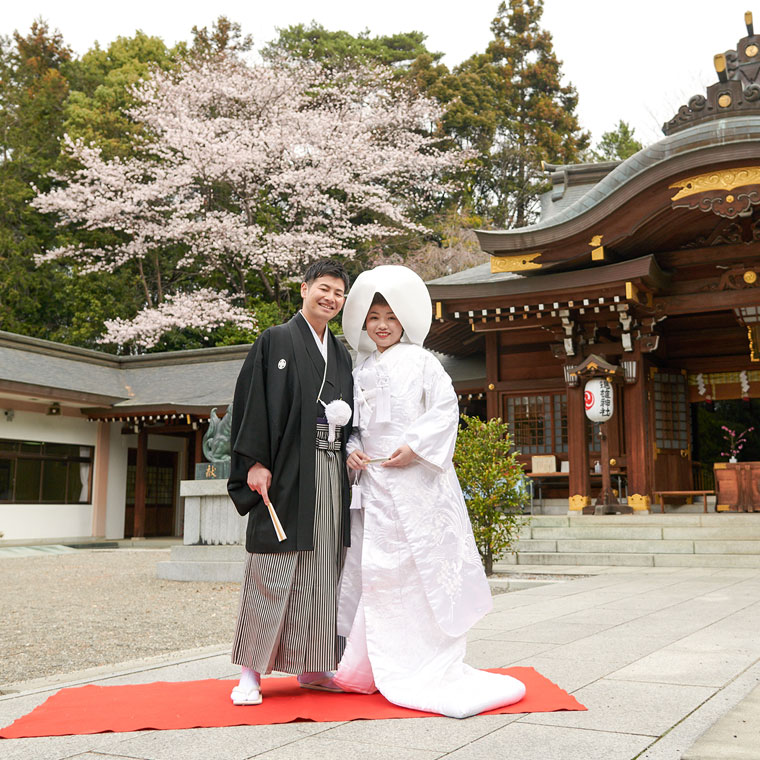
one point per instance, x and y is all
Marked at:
(658, 655)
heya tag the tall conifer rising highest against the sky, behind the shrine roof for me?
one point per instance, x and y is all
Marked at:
(510, 105)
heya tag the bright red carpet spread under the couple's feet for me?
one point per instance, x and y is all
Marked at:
(206, 704)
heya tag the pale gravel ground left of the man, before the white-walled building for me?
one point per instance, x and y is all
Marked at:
(69, 612)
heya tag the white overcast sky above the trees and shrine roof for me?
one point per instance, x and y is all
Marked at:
(633, 61)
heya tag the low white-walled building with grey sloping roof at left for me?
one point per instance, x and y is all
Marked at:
(78, 426)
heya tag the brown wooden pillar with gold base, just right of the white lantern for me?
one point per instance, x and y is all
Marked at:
(637, 439)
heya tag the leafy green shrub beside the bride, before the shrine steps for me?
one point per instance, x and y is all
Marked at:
(493, 484)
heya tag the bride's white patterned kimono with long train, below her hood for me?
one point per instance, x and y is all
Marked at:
(413, 583)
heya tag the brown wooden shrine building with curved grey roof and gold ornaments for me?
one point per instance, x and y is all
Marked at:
(645, 272)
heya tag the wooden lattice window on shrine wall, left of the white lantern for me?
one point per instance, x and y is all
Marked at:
(538, 424)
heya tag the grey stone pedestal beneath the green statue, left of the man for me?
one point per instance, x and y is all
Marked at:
(214, 539)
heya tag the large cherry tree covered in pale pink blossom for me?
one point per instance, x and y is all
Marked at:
(244, 174)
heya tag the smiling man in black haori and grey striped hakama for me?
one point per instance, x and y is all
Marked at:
(282, 456)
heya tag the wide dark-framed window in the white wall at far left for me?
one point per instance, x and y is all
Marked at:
(35, 472)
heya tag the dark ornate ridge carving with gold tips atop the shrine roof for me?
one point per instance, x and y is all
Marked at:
(737, 91)
